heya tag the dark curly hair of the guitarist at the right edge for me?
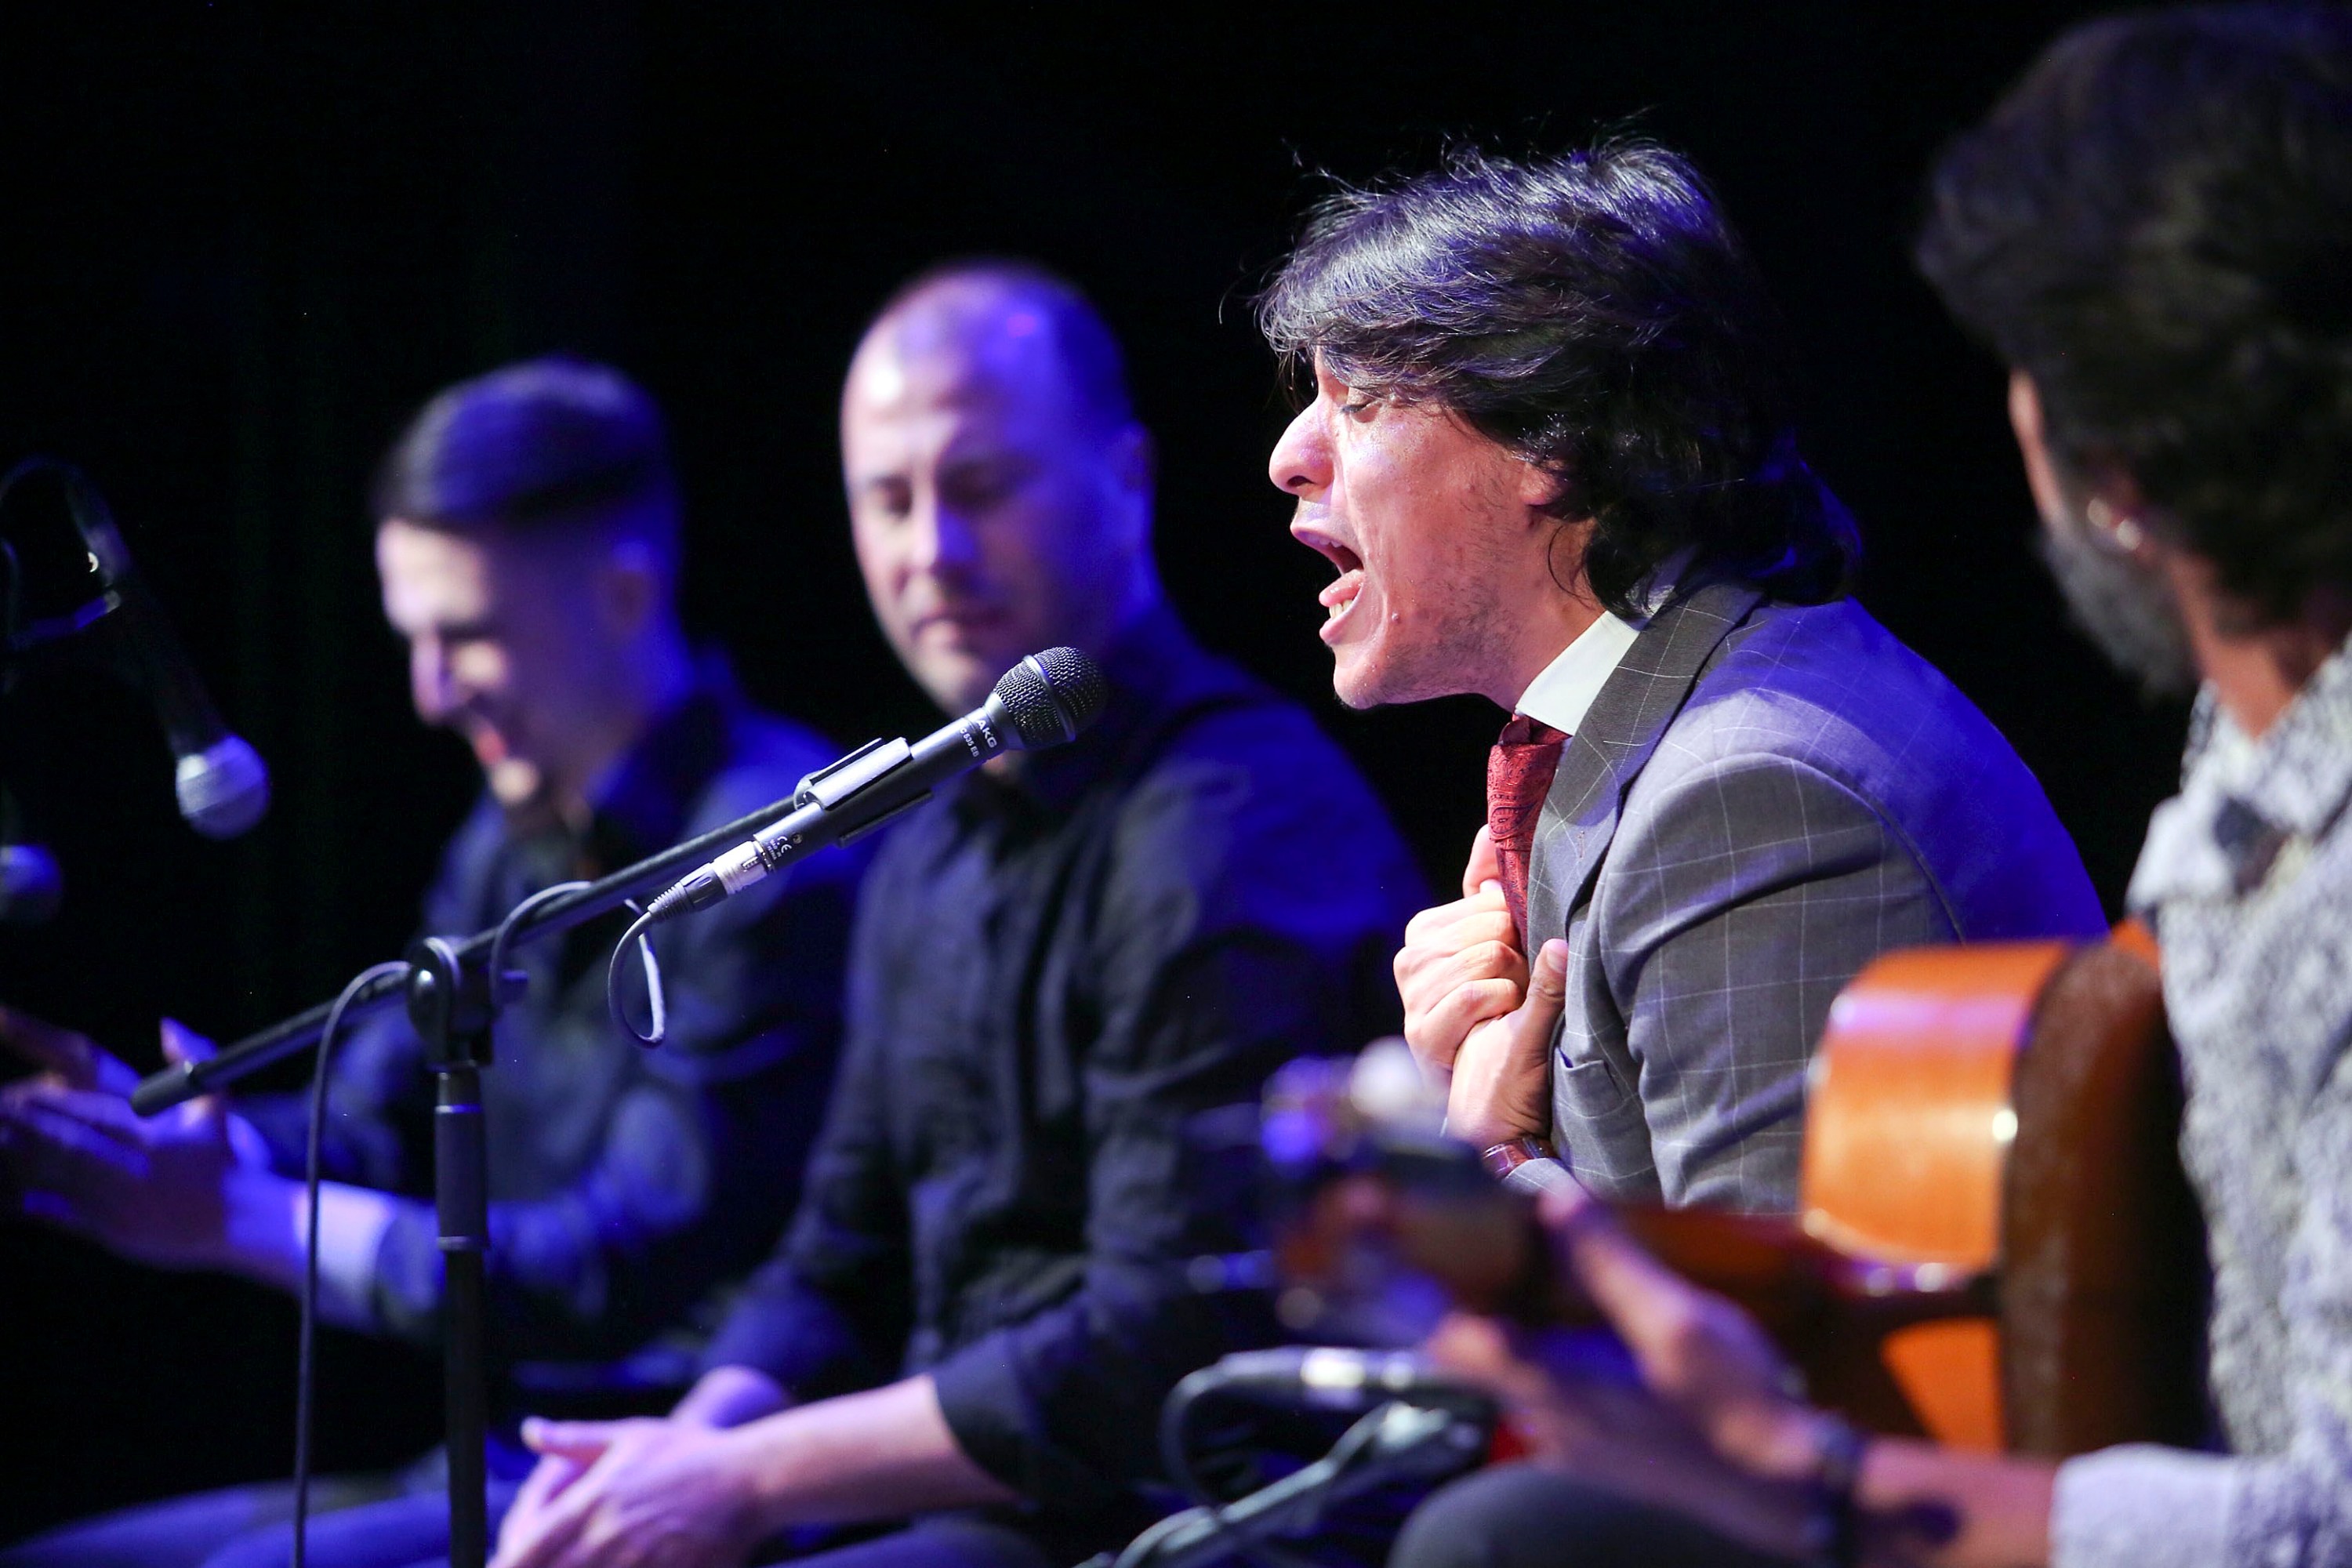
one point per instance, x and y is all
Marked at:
(2158, 229)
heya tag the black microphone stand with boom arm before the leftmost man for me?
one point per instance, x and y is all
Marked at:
(453, 1000)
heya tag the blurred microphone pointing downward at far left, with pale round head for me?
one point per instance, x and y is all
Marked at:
(220, 779)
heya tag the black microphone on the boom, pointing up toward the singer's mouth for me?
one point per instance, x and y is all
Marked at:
(1043, 702)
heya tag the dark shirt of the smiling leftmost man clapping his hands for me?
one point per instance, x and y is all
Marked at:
(627, 1186)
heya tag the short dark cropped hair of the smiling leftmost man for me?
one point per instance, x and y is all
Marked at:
(537, 445)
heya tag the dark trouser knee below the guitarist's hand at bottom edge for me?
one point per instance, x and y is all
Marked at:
(1525, 1517)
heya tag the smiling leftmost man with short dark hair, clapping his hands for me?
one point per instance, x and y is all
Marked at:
(528, 547)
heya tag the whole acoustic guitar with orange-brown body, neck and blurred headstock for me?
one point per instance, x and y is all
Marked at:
(1996, 1242)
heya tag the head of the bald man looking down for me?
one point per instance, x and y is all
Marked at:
(998, 483)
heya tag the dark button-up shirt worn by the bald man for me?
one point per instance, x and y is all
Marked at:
(1055, 977)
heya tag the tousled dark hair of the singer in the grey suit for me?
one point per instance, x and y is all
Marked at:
(1593, 314)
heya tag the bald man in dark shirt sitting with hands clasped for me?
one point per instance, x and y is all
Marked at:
(1060, 972)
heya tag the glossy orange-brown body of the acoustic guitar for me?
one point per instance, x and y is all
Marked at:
(2014, 1111)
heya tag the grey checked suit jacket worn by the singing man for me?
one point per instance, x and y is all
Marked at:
(1763, 800)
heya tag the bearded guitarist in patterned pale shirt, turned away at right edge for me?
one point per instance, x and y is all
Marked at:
(2156, 232)
